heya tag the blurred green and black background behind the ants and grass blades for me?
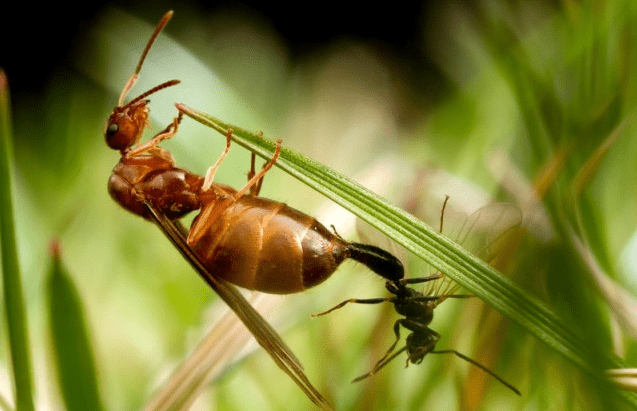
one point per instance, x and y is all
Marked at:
(505, 97)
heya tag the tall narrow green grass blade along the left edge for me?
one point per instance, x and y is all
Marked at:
(13, 293)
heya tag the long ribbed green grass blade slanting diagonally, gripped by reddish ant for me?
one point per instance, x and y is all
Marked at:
(425, 242)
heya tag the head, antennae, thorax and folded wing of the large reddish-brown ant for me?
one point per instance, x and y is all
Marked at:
(147, 182)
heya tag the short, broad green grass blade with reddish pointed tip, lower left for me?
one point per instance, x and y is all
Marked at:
(76, 369)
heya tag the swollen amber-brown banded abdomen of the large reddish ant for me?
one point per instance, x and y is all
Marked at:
(267, 246)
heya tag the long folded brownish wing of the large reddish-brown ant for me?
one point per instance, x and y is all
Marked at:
(260, 329)
